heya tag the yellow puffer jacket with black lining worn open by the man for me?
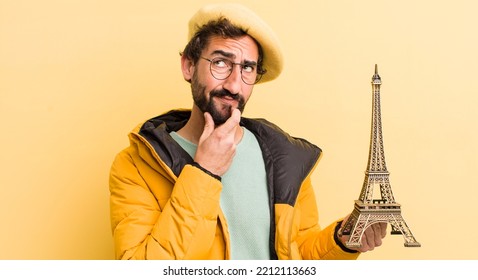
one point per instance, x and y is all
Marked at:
(163, 206)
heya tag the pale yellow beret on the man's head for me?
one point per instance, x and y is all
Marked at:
(247, 20)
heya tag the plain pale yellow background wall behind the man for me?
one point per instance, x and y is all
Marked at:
(76, 76)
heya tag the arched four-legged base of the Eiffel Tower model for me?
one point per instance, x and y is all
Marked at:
(365, 215)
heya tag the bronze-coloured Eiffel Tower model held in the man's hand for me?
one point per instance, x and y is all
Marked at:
(370, 209)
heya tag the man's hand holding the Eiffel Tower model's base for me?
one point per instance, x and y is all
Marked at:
(371, 238)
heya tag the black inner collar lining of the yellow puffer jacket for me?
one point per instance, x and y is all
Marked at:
(288, 160)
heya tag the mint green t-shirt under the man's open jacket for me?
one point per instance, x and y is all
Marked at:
(244, 199)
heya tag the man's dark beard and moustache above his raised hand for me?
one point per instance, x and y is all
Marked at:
(219, 113)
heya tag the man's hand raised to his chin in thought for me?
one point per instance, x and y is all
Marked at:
(217, 146)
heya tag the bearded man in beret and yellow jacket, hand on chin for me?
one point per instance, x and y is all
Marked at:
(207, 183)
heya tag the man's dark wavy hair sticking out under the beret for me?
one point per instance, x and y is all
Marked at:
(223, 28)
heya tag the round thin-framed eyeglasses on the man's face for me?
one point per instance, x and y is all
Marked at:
(221, 68)
